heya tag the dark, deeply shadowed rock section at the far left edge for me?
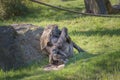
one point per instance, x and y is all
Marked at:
(9, 51)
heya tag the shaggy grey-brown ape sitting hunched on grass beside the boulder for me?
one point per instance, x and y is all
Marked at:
(59, 45)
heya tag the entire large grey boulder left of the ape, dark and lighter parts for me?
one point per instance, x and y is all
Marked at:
(19, 45)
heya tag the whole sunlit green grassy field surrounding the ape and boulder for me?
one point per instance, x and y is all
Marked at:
(98, 36)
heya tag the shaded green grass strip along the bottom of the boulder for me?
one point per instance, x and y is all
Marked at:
(33, 69)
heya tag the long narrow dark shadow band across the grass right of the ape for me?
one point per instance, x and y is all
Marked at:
(98, 32)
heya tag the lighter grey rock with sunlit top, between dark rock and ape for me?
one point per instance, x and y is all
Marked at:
(29, 40)
